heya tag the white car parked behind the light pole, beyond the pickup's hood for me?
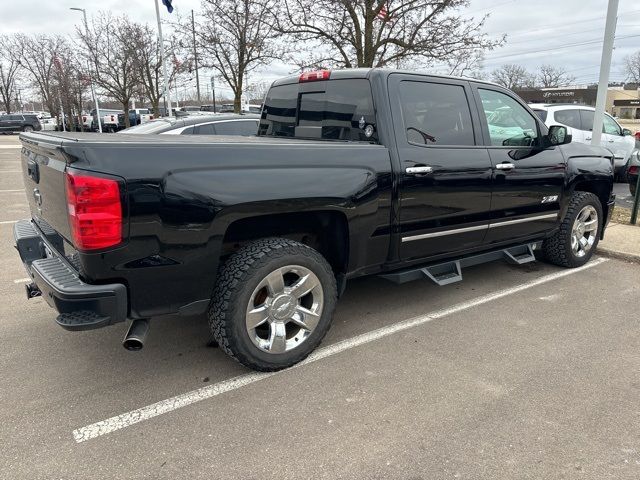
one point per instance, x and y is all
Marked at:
(579, 119)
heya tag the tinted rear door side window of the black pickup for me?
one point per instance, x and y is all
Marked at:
(436, 114)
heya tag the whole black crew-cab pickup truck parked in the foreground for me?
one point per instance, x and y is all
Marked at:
(352, 173)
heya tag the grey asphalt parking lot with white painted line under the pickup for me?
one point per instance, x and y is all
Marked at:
(516, 372)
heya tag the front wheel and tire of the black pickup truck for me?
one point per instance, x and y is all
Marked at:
(577, 238)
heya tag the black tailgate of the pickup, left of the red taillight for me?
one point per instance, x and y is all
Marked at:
(43, 165)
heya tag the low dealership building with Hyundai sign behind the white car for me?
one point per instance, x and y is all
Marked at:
(622, 101)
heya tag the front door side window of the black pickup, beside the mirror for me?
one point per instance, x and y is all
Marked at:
(510, 124)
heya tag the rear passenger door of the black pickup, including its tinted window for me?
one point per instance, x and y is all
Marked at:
(445, 179)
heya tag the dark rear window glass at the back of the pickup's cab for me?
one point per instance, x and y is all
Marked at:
(330, 110)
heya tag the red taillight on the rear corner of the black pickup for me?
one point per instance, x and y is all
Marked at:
(95, 211)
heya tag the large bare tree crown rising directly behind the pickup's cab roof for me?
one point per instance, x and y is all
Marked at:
(378, 33)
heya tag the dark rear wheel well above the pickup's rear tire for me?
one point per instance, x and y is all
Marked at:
(325, 231)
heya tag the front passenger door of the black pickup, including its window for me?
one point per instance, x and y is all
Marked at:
(527, 179)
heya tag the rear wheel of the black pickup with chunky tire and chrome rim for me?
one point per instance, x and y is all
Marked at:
(272, 303)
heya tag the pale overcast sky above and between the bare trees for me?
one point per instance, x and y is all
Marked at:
(538, 31)
